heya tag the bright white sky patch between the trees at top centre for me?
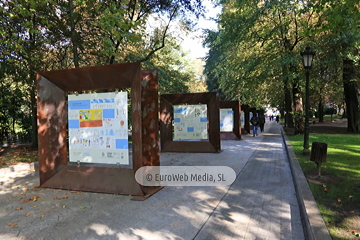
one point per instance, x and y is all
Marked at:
(193, 42)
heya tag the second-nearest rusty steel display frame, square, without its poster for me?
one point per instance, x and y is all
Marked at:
(212, 145)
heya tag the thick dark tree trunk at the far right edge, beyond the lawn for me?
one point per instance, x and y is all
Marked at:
(351, 98)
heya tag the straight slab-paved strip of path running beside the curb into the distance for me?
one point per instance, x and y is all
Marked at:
(261, 203)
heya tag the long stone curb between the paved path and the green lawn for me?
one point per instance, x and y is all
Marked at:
(314, 225)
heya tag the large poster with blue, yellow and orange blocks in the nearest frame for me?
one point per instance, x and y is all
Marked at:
(98, 128)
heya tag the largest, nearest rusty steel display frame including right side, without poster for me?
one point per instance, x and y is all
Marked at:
(55, 172)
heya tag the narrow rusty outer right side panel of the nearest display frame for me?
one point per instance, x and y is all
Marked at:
(150, 119)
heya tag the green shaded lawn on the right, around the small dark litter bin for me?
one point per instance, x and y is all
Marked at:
(339, 197)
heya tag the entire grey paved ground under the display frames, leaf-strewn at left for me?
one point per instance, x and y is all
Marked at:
(260, 204)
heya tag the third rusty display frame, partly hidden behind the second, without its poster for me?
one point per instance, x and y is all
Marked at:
(236, 133)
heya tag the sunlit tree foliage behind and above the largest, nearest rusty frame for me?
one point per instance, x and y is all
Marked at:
(53, 34)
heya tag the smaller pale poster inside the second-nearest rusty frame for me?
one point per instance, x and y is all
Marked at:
(190, 122)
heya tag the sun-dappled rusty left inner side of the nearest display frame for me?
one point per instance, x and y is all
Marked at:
(52, 121)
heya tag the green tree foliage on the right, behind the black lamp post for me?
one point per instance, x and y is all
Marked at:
(256, 49)
